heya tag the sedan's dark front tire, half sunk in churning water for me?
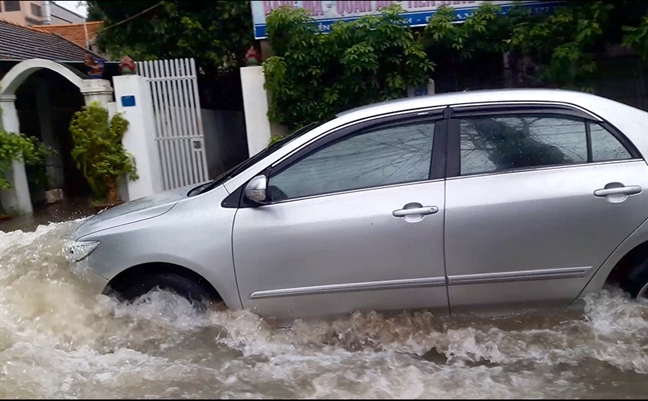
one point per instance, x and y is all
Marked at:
(189, 289)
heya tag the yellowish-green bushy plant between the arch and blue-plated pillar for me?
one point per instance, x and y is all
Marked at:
(99, 153)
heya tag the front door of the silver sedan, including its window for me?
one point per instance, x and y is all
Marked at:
(355, 221)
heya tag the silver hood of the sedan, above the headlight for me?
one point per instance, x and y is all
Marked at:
(133, 211)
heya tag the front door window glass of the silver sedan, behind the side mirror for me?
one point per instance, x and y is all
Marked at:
(375, 157)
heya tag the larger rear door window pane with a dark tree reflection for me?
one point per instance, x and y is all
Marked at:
(496, 143)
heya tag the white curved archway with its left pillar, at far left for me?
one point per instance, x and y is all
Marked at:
(17, 199)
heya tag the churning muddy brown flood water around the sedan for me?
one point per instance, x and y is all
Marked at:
(59, 340)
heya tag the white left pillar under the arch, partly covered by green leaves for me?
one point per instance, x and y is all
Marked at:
(17, 199)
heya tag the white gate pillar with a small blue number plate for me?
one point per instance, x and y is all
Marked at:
(133, 99)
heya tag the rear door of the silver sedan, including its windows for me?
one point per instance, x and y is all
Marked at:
(537, 199)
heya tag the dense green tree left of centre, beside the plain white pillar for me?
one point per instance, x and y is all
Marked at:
(314, 76)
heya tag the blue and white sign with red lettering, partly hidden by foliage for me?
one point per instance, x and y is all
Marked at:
(418, 13)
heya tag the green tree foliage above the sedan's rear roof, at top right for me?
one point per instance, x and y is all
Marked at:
(558, 48)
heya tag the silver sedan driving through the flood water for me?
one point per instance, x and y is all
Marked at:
(490, 202)
